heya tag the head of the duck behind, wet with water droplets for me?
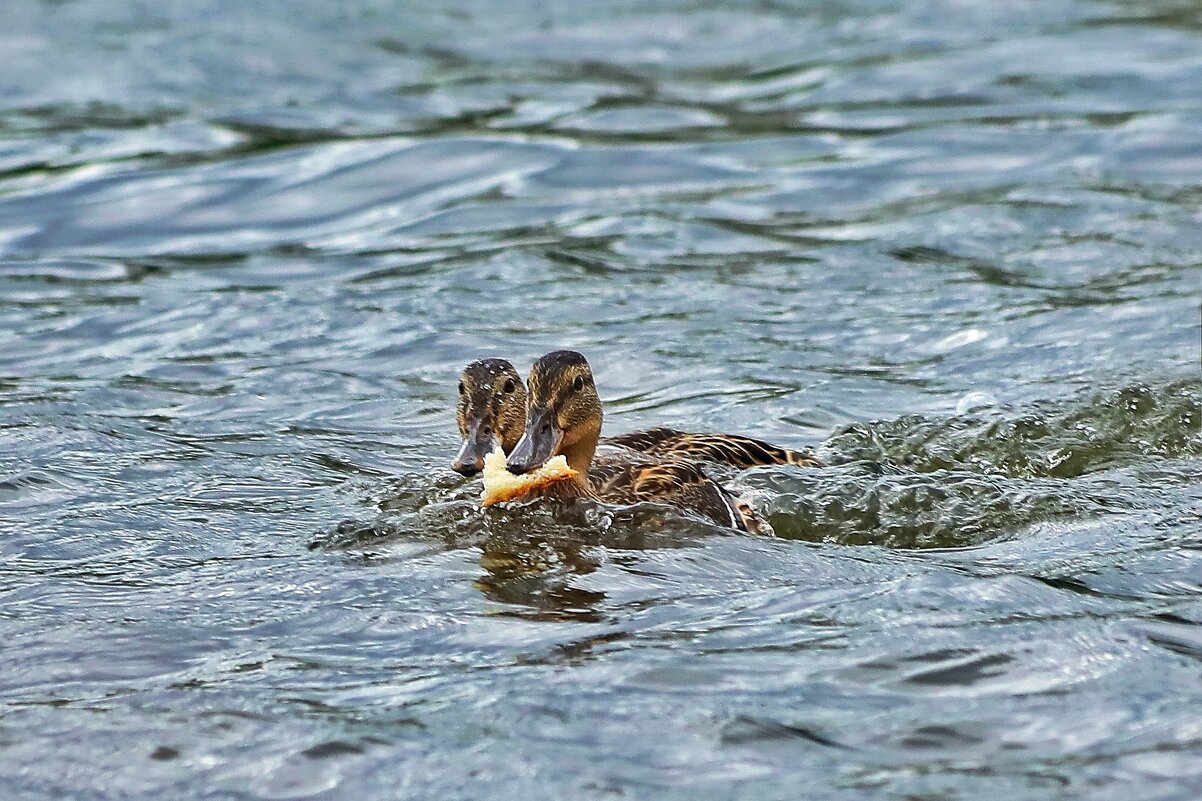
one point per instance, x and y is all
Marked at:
(491, 412)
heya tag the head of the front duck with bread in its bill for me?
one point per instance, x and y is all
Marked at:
(563, 416)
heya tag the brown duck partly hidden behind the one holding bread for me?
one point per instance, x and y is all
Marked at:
(491, 412)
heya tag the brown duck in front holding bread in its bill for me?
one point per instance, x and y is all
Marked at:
(564, 418)
